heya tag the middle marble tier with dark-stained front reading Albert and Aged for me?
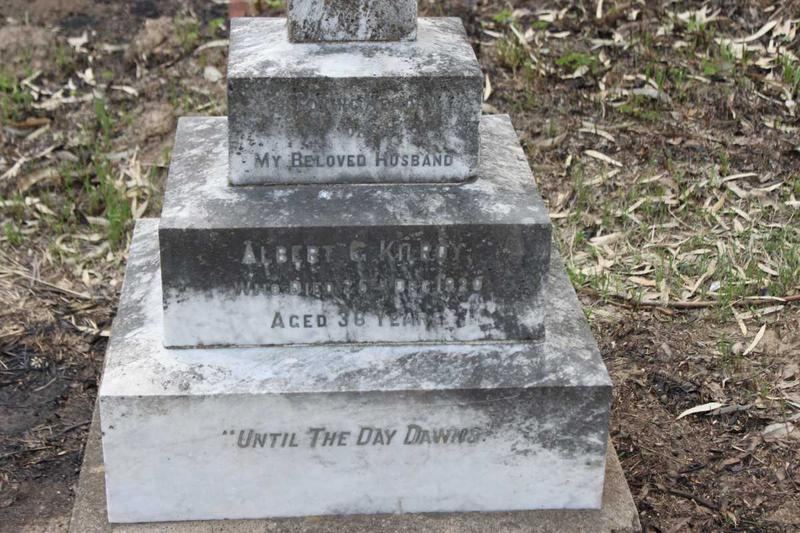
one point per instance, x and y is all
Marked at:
(356, 263)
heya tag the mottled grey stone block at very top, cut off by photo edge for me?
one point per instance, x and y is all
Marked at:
(352, 20)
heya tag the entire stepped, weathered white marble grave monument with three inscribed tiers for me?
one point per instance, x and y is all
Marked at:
(345, 340)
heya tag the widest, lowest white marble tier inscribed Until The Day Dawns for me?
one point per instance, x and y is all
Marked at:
(236, 433)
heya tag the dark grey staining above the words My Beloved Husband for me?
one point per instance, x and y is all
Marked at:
(312, 111)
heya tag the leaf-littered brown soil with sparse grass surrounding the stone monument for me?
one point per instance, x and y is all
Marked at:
(653, 144)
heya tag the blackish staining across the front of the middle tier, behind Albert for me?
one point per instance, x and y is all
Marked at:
(405, 277)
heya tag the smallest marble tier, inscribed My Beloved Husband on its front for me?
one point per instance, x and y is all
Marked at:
(352, 112)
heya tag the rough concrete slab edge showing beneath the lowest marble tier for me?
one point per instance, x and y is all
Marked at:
(618, 514)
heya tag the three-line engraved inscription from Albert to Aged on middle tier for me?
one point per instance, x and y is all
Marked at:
(402, 282)
